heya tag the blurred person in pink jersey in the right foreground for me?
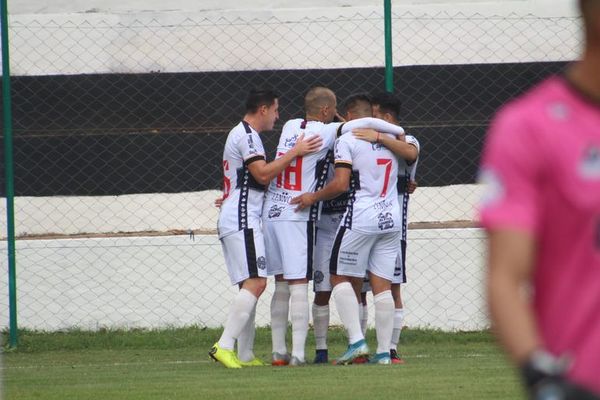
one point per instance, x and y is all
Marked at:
(541, 211)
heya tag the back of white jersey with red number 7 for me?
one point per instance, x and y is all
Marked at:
(373, 199)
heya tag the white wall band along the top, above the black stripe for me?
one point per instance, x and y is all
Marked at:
(185, 36)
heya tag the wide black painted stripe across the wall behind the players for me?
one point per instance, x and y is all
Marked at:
(148, 133)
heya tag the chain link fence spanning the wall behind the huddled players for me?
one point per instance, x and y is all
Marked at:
(119, 131)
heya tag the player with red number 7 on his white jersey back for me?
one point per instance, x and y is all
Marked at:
(369, 235)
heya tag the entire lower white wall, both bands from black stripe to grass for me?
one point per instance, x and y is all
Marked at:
(174, 280)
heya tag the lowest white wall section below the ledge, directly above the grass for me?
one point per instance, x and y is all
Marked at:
(175, 281)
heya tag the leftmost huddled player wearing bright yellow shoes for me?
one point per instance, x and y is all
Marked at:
(245, 175)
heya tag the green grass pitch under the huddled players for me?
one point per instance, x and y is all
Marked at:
(173, 364)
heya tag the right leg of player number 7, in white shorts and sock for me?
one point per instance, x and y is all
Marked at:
(381, 271)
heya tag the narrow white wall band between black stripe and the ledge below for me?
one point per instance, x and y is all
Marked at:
(163, 212)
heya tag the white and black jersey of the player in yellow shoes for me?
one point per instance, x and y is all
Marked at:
(243, 195)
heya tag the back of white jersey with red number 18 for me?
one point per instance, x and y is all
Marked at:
(304, 174)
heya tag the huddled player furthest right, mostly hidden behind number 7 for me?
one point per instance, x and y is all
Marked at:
(387, 107)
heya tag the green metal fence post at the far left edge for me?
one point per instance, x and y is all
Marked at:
(9, 173)
